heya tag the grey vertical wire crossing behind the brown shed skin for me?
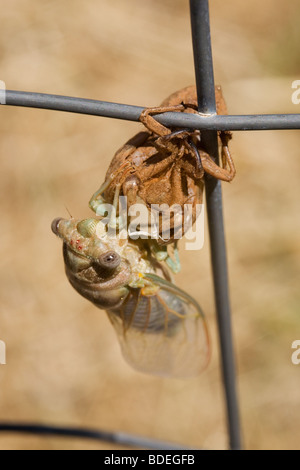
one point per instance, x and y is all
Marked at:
(199, 10)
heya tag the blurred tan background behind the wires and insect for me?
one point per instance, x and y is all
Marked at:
(64, 365)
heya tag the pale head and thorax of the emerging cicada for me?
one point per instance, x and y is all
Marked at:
(93, 265)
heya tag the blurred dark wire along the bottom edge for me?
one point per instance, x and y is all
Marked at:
(119, 438)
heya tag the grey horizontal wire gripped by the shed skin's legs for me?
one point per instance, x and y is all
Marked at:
(249, 122)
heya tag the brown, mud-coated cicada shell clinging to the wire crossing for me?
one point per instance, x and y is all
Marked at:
(166, 166)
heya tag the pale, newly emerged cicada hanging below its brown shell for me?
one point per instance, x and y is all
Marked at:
(161, 329)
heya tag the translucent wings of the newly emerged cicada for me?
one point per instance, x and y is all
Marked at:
(163, 334)
